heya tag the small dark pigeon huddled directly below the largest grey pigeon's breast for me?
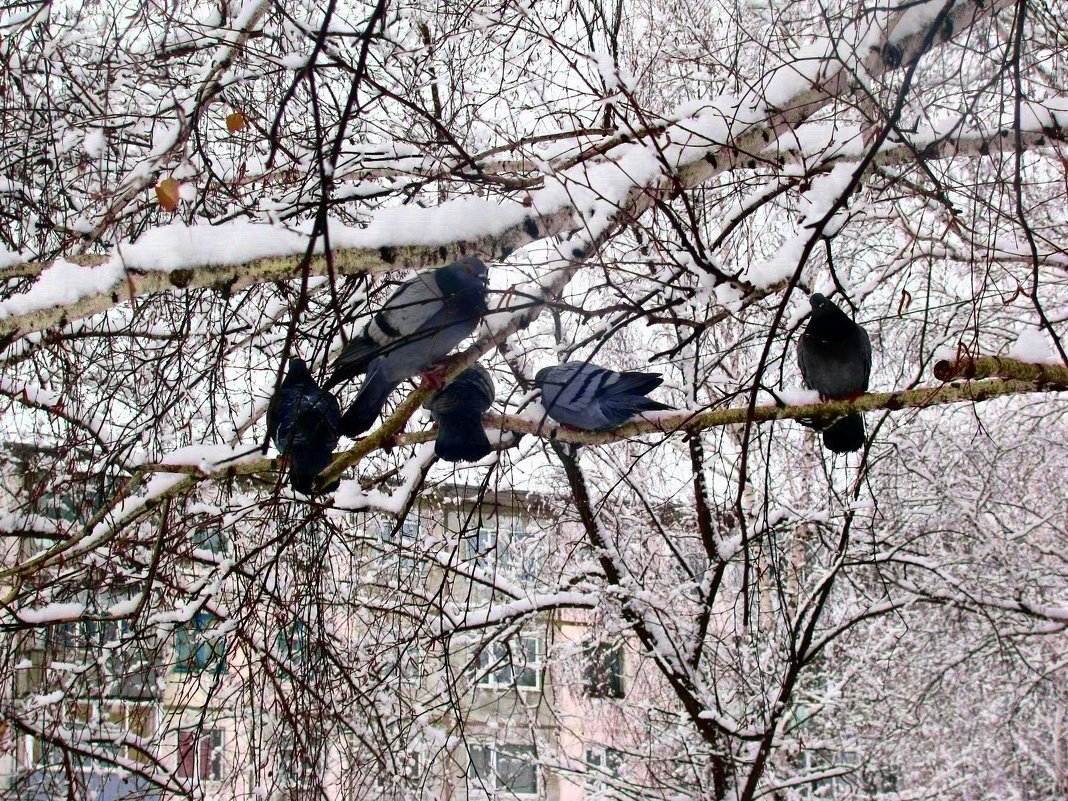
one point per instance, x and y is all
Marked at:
(458, 411)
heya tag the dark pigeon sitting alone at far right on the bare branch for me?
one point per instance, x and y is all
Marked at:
(835, 355)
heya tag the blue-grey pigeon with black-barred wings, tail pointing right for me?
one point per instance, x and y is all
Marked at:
(594, 399)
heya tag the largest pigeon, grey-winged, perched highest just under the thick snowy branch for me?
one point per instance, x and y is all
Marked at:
(426, 319)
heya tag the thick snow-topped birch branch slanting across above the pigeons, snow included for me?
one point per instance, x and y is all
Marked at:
(589, 197)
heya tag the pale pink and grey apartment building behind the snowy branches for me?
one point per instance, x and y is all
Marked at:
(227, 697)
